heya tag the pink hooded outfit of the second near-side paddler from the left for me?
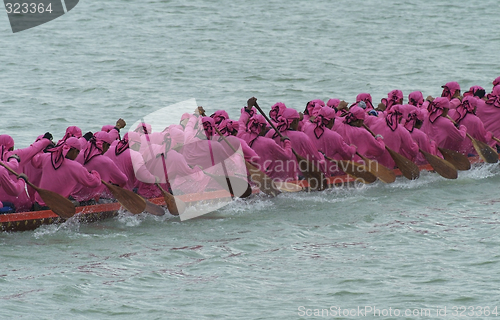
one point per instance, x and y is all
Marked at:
(62, 175)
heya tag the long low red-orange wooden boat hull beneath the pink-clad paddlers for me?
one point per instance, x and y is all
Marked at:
(24, 221)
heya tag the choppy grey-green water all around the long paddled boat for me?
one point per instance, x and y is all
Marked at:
(427, 244)
